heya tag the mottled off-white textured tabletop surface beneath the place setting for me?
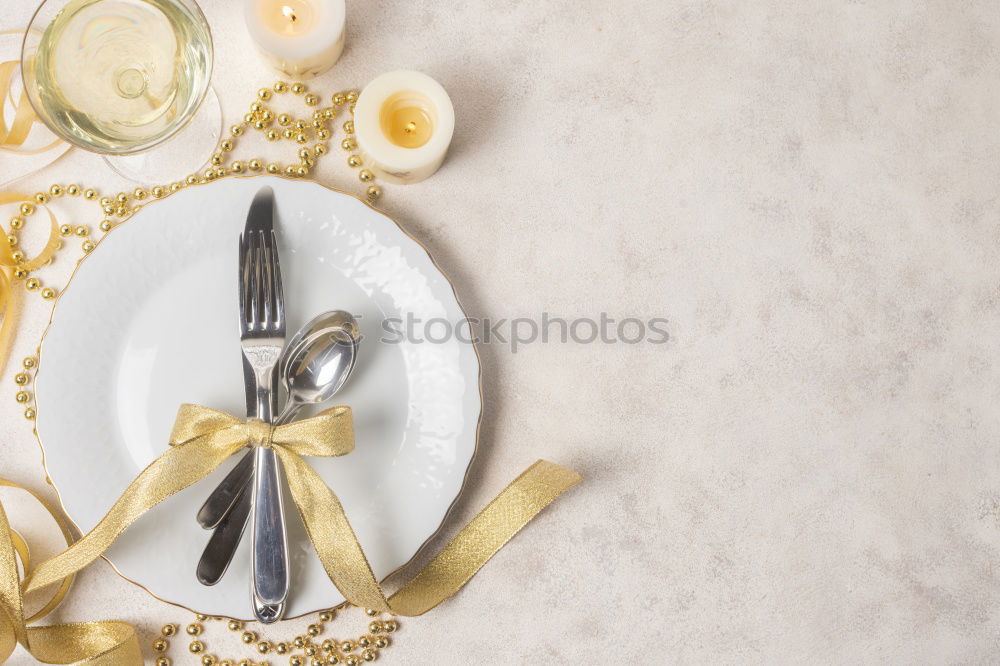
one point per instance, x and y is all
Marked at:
(808, 472)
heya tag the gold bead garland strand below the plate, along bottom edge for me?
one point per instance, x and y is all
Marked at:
(300, 650)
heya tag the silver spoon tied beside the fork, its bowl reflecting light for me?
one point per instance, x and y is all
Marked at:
(316, 368)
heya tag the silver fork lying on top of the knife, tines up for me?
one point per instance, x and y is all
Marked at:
(262, 336)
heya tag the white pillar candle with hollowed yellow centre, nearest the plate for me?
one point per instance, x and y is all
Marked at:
(403, 122)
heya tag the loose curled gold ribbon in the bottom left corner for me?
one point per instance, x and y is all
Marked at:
(105, 643)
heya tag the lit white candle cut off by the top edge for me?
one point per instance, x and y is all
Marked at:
(301, 38)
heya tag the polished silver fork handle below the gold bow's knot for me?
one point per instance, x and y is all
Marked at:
(269, 555)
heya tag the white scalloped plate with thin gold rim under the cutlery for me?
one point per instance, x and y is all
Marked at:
(149, 322)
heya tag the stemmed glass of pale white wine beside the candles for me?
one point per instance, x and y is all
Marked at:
(121, 77)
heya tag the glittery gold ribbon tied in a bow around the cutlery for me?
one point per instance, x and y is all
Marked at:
(203, 438)
